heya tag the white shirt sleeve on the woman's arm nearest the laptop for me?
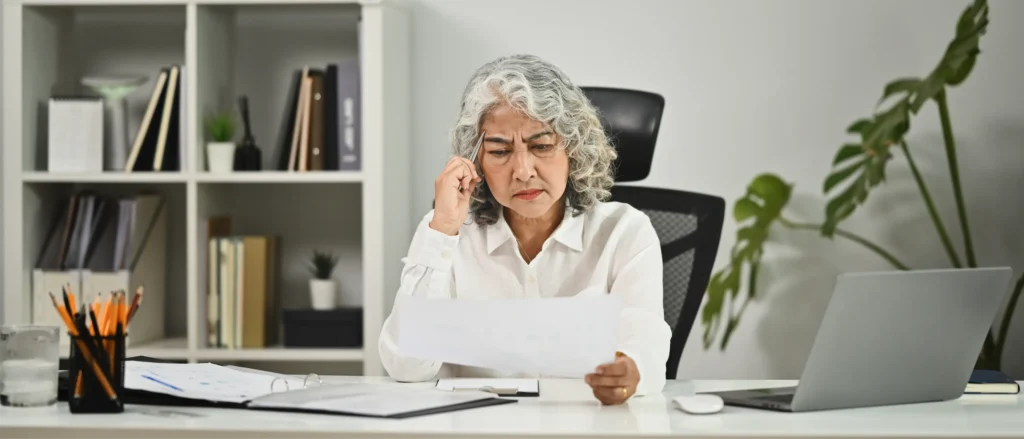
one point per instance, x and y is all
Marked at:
(644, 334)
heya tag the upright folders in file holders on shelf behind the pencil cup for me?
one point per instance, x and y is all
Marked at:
(99, 245)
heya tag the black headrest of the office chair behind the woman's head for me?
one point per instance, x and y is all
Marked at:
(631, 119)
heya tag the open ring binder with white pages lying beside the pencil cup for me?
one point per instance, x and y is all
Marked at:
(208, 385)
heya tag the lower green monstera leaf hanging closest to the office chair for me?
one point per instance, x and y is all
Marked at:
(755, 213)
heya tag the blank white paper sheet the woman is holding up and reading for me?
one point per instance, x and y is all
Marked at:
(562, 337)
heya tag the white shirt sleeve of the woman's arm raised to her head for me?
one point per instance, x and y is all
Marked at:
(428, 273)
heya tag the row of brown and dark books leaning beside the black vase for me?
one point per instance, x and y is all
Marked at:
(321, 128)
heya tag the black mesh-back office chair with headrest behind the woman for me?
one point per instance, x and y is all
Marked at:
(689, 225)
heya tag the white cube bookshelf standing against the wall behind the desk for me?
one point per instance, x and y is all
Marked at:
(229, 49)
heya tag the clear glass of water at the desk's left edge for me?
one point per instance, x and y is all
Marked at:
(29, 365)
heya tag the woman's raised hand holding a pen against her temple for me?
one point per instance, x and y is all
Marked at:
(451, 204)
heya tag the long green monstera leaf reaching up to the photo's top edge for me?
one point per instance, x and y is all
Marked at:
(860, 167)
